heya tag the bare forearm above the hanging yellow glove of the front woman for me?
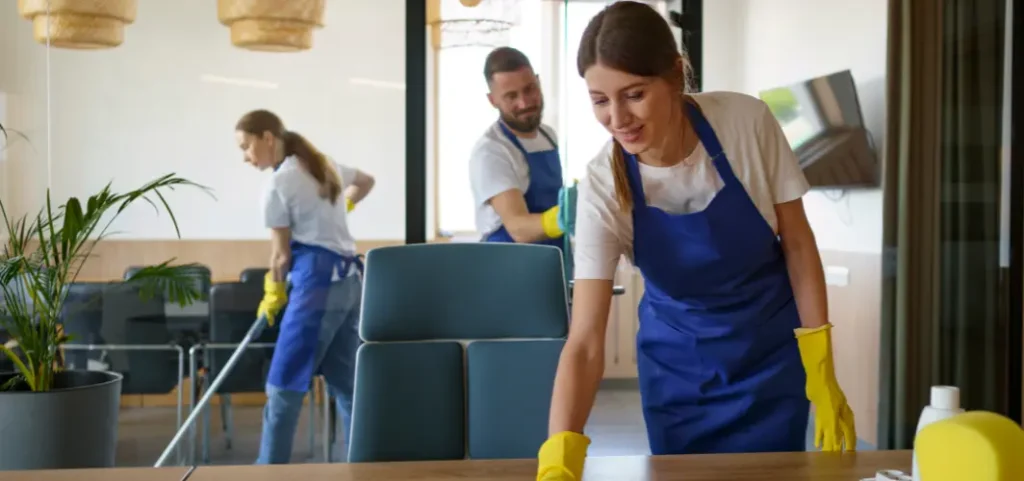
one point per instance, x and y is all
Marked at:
(808, 280)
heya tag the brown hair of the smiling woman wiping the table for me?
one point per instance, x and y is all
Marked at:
(634, 38)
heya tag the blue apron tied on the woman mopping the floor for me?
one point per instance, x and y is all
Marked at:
(294, 355)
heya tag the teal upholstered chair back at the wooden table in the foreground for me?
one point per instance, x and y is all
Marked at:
(461, 346)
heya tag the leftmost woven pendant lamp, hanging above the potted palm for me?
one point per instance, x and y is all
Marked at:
(79, 24)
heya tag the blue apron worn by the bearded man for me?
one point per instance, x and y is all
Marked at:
(545, 182)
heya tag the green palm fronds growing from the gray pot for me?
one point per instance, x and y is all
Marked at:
(45, 254)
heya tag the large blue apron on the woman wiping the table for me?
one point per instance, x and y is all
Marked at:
(719, 367)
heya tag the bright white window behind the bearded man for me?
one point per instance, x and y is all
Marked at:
(548, 32)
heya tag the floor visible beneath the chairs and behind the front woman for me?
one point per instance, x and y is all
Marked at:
(616, 429)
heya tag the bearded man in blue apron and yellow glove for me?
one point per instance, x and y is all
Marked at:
(516, 169)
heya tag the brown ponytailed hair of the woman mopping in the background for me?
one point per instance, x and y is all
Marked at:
(323, 170)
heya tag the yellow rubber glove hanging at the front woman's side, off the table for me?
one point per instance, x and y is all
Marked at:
(834, 425)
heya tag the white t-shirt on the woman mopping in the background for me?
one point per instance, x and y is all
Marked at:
(292, 200)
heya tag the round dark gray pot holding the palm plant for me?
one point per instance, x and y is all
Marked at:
(73, 426)
